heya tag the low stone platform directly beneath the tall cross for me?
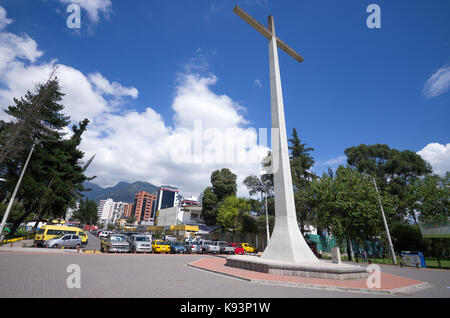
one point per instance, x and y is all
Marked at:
(322, 269)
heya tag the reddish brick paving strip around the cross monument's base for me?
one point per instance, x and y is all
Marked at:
(389, 283)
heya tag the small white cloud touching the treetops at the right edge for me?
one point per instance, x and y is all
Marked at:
(438, 156)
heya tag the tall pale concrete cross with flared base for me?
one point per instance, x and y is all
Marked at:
(287, 242)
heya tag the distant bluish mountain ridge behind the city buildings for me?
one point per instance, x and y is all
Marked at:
(123, 191)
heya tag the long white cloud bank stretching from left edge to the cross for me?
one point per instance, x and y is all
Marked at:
(139, 145)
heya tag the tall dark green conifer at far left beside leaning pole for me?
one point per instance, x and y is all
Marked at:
(55, 173)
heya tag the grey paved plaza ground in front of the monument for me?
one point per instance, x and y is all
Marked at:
(25, 274)
